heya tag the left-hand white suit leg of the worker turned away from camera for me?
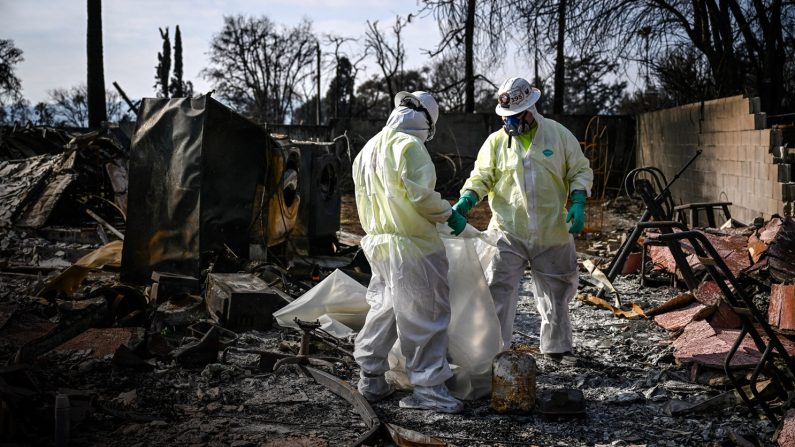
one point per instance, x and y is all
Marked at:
(375, 339)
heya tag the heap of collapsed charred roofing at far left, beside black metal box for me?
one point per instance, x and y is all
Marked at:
(73, 177)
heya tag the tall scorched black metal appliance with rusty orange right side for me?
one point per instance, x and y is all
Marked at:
(204, 180)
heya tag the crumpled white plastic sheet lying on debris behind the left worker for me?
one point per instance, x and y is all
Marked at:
(338, 302)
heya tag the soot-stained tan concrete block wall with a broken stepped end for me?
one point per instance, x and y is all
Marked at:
(735, 165)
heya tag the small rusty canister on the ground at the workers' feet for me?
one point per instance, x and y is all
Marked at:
(513, 382)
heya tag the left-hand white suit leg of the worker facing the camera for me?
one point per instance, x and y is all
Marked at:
(503, 276)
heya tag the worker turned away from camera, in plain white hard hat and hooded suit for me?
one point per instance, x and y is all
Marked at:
(394, 180)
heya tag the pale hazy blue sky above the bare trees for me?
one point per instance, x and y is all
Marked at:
(51, 33)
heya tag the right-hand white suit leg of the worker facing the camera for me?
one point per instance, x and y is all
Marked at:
(555, 277)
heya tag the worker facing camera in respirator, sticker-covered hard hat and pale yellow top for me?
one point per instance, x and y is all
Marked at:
(528, 169)
